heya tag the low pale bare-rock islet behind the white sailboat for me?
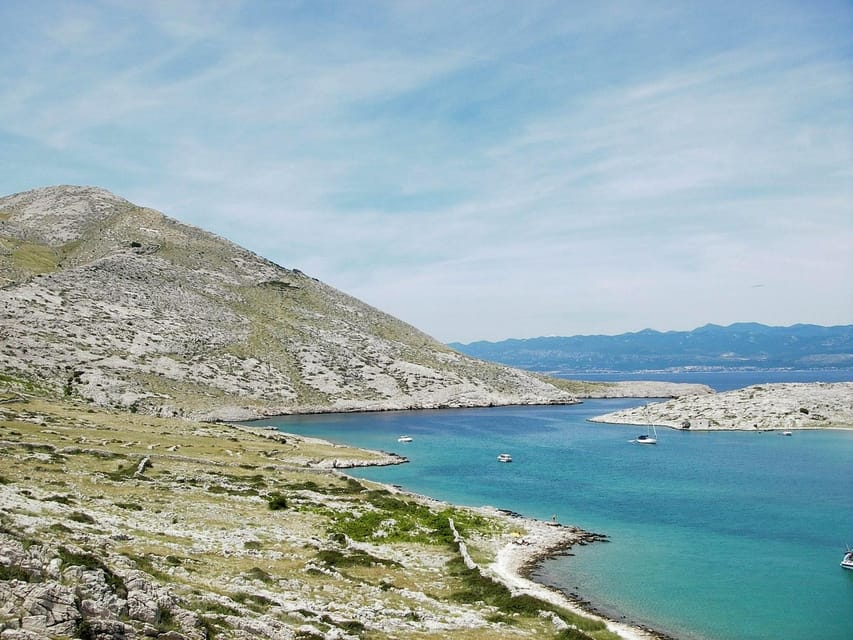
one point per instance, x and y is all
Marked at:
(783, 406)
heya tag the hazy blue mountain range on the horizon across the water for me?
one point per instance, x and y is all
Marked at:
(737, 346)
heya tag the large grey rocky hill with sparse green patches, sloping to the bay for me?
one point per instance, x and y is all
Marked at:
(121, 306)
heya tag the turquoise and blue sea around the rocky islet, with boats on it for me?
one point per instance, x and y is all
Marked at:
(712, 536)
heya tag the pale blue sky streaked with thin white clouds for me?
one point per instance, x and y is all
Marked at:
(481, 170)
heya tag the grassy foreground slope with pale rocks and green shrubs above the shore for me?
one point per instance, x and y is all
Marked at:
(229, 524)
